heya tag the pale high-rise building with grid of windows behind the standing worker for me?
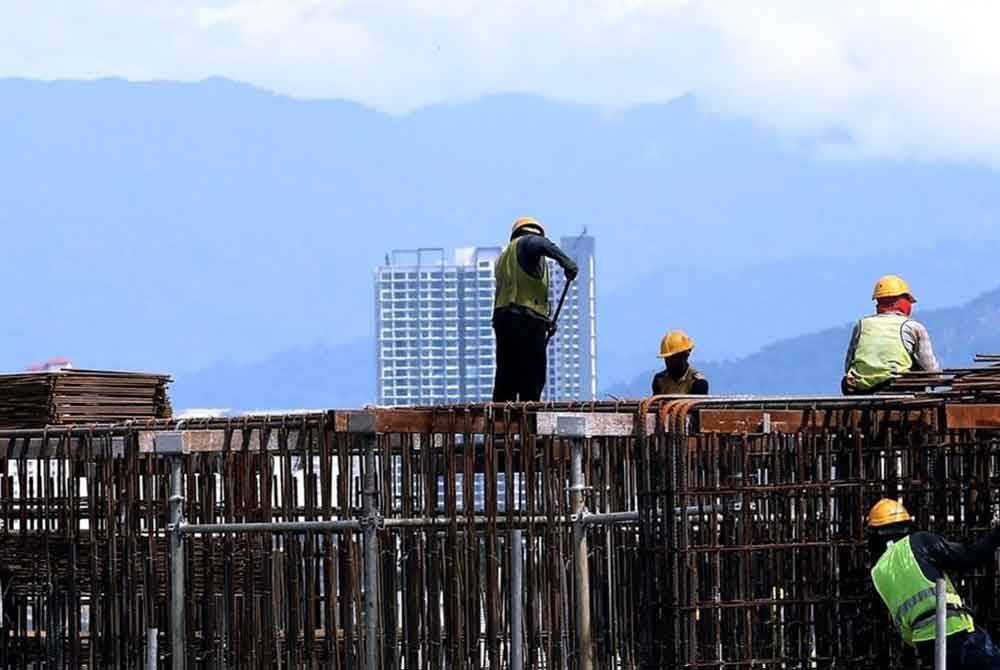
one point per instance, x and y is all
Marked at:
(434, 338)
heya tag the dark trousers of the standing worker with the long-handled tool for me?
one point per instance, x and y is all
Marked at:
(521, 356)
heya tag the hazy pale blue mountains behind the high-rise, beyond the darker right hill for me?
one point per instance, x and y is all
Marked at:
(218, 231)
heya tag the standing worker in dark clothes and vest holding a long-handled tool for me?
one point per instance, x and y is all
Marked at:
(521, 311)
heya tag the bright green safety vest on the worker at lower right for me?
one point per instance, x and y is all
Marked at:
(910, 596)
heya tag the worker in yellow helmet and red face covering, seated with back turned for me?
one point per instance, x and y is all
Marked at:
(888, 342)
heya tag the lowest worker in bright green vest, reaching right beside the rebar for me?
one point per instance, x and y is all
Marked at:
(909, 564)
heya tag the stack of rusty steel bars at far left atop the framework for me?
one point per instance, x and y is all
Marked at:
(68, 396)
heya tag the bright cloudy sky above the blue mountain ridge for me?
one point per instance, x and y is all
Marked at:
(891, 78)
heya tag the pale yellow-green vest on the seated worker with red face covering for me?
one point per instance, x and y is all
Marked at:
(880, 353)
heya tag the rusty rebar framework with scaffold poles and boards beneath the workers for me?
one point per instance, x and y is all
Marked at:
(668, 533)
